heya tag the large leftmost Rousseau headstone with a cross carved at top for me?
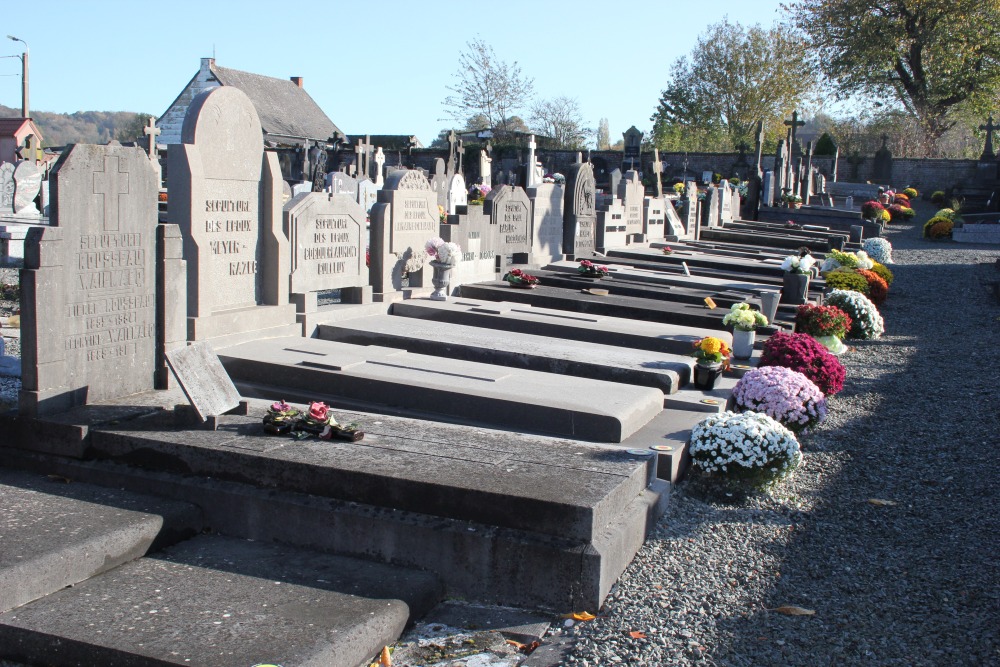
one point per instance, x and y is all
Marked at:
(90, 331)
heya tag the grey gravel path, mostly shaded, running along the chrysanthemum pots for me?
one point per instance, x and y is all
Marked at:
(913, 581)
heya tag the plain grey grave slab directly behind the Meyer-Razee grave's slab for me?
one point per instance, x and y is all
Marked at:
(666, 372)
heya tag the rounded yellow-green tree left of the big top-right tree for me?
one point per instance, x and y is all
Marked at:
(733, 78)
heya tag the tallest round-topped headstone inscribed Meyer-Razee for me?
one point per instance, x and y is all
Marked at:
(225, 195)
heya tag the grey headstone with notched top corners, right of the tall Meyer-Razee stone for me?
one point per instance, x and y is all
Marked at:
(327, 236)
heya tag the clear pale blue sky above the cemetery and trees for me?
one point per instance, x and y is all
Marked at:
(373, 67)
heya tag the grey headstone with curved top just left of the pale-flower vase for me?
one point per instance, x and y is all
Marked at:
(402, 221)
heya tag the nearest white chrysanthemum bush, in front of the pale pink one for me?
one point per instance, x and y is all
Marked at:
(749, 447)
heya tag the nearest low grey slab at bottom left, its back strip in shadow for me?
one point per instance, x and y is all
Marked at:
(217, 602)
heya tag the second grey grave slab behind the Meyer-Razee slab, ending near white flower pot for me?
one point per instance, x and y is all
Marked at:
(559, 324)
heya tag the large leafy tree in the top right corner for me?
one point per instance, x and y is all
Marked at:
(933, 58)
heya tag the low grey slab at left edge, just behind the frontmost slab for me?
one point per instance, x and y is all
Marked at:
(54, 534)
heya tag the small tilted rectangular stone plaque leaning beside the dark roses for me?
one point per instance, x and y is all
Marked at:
(203, 379)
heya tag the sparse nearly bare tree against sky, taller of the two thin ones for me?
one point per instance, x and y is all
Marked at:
(487, 86)
